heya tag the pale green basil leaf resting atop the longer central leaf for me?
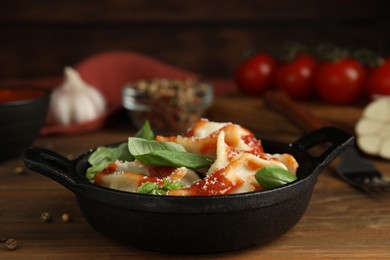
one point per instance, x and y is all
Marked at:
(139, 146)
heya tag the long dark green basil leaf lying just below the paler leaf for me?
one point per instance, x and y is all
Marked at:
(175, 159)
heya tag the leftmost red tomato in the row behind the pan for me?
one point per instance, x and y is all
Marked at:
(254, 76)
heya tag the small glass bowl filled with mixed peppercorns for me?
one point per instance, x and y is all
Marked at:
(169, 105)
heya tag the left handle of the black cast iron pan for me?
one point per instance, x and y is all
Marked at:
(52, 165)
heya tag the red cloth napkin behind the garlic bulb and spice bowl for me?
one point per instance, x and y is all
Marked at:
(109, 72)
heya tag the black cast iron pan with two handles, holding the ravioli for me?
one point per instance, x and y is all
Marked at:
(195, 224)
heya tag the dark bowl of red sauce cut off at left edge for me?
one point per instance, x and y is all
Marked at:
(22, 114)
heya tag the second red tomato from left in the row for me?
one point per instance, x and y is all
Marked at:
(296, 78)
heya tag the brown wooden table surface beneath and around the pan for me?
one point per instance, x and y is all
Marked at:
(340, 222)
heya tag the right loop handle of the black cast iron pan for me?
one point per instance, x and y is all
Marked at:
(336, 140)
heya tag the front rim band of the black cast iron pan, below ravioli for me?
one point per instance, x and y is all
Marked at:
(194, 204)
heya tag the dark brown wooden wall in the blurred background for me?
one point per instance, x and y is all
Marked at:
(39, 38)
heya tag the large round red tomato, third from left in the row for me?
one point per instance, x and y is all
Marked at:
(341, 82)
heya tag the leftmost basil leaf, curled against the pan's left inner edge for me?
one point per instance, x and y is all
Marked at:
(106, 155)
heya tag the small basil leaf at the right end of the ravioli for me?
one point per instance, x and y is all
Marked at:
(272, 176)
